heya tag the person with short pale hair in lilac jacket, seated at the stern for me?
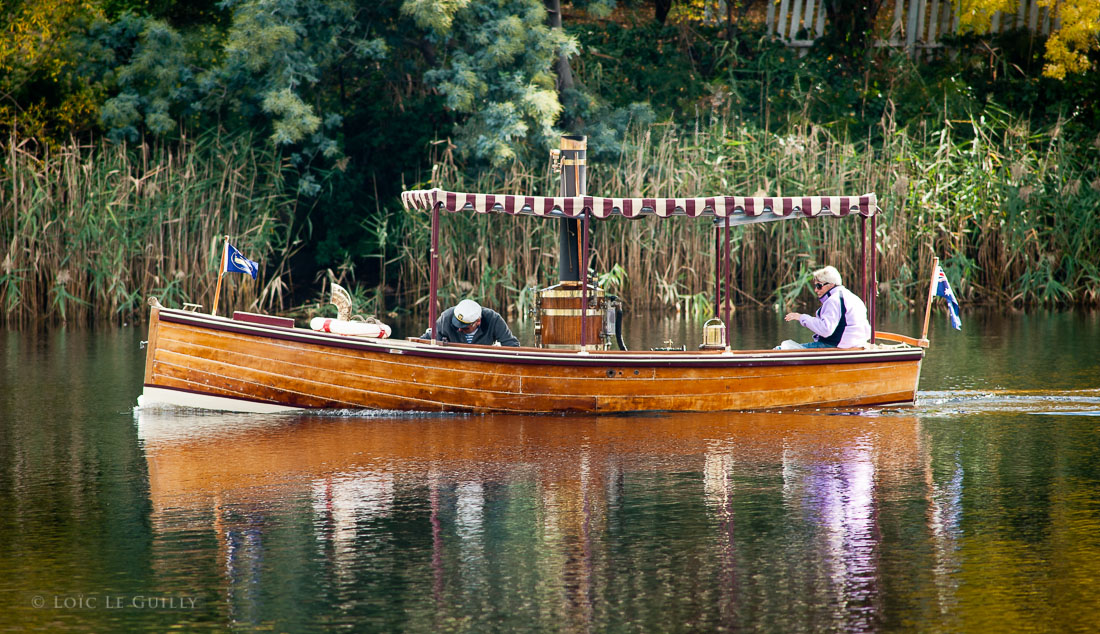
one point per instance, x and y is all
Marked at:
(842, 320)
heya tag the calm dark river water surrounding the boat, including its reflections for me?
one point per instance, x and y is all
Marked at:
(976, 510)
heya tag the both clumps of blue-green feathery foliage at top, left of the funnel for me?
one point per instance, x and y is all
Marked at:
(289, 67)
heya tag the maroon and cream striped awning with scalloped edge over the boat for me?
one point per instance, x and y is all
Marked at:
(736, 210)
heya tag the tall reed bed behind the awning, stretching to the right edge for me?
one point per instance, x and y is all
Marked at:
(1011, 212)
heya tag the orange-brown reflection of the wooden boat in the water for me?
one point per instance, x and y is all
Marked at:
(534, 523)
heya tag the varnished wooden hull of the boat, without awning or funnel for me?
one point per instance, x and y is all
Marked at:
(219, 364)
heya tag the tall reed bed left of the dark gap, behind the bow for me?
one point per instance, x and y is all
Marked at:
(92, 231)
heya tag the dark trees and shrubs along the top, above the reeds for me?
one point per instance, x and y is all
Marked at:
(357, 97)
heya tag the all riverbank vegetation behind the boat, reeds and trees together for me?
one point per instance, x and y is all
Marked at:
(145, 133)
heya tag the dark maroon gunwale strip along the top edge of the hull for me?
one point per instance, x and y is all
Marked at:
(538, 356)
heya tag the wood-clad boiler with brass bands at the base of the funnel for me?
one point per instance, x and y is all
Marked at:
(558, 318)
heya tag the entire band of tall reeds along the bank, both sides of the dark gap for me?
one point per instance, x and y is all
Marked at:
(91, 232)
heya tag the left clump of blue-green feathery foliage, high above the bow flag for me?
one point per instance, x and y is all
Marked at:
(266, 70)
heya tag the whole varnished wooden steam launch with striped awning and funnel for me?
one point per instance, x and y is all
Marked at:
(262, 364)
